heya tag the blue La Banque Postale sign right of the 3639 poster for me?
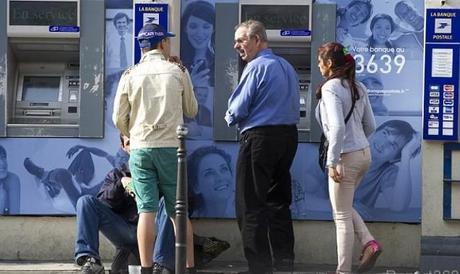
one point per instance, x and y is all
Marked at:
(441, 87)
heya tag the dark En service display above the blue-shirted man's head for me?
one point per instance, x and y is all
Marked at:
(277, 16)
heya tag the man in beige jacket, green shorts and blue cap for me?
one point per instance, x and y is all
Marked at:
(151, 100)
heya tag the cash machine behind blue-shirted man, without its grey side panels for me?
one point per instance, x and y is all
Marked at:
(288, 27)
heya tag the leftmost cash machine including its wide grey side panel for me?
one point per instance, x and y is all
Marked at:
(54, 85)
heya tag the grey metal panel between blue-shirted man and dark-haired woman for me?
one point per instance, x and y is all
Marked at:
(323, 30)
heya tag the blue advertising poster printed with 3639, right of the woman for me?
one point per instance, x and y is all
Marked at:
(386, 40)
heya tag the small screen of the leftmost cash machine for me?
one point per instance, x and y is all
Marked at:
(41, 88)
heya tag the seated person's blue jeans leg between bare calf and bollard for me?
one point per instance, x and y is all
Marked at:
(164, 251)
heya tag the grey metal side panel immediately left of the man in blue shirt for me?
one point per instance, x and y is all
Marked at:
(226, 71)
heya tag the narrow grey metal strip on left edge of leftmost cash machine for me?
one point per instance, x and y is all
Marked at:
(3, 54)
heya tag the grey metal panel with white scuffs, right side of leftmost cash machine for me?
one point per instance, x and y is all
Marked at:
(92, 35)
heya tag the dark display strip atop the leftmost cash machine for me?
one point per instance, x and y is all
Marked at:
(43, 13)
